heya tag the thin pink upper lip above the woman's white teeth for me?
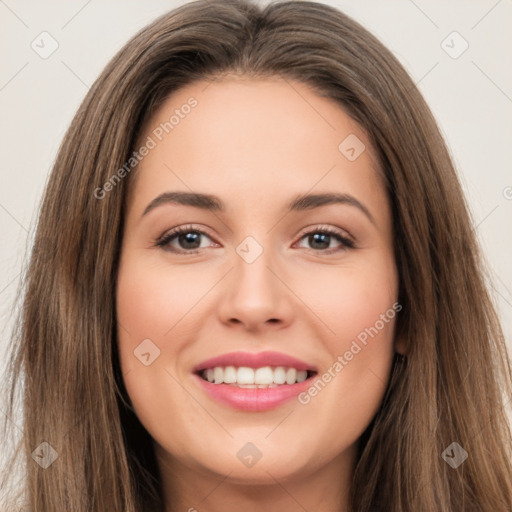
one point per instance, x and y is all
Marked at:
(254, 360)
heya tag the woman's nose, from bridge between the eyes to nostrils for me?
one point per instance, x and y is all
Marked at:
(257, 296)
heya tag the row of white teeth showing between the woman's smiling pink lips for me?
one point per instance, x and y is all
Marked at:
(245, 377)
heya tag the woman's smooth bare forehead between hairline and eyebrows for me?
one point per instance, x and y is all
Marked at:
(255, 140)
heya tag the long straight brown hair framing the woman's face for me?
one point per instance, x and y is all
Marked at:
(447, 389)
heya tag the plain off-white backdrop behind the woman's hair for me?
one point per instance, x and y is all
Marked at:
(458, 53)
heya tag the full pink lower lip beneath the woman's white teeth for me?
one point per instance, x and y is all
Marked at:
(253, 399)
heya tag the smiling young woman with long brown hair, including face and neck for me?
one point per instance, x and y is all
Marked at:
(325, 343)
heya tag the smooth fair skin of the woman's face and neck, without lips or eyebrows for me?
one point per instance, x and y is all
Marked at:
(256, 144)
